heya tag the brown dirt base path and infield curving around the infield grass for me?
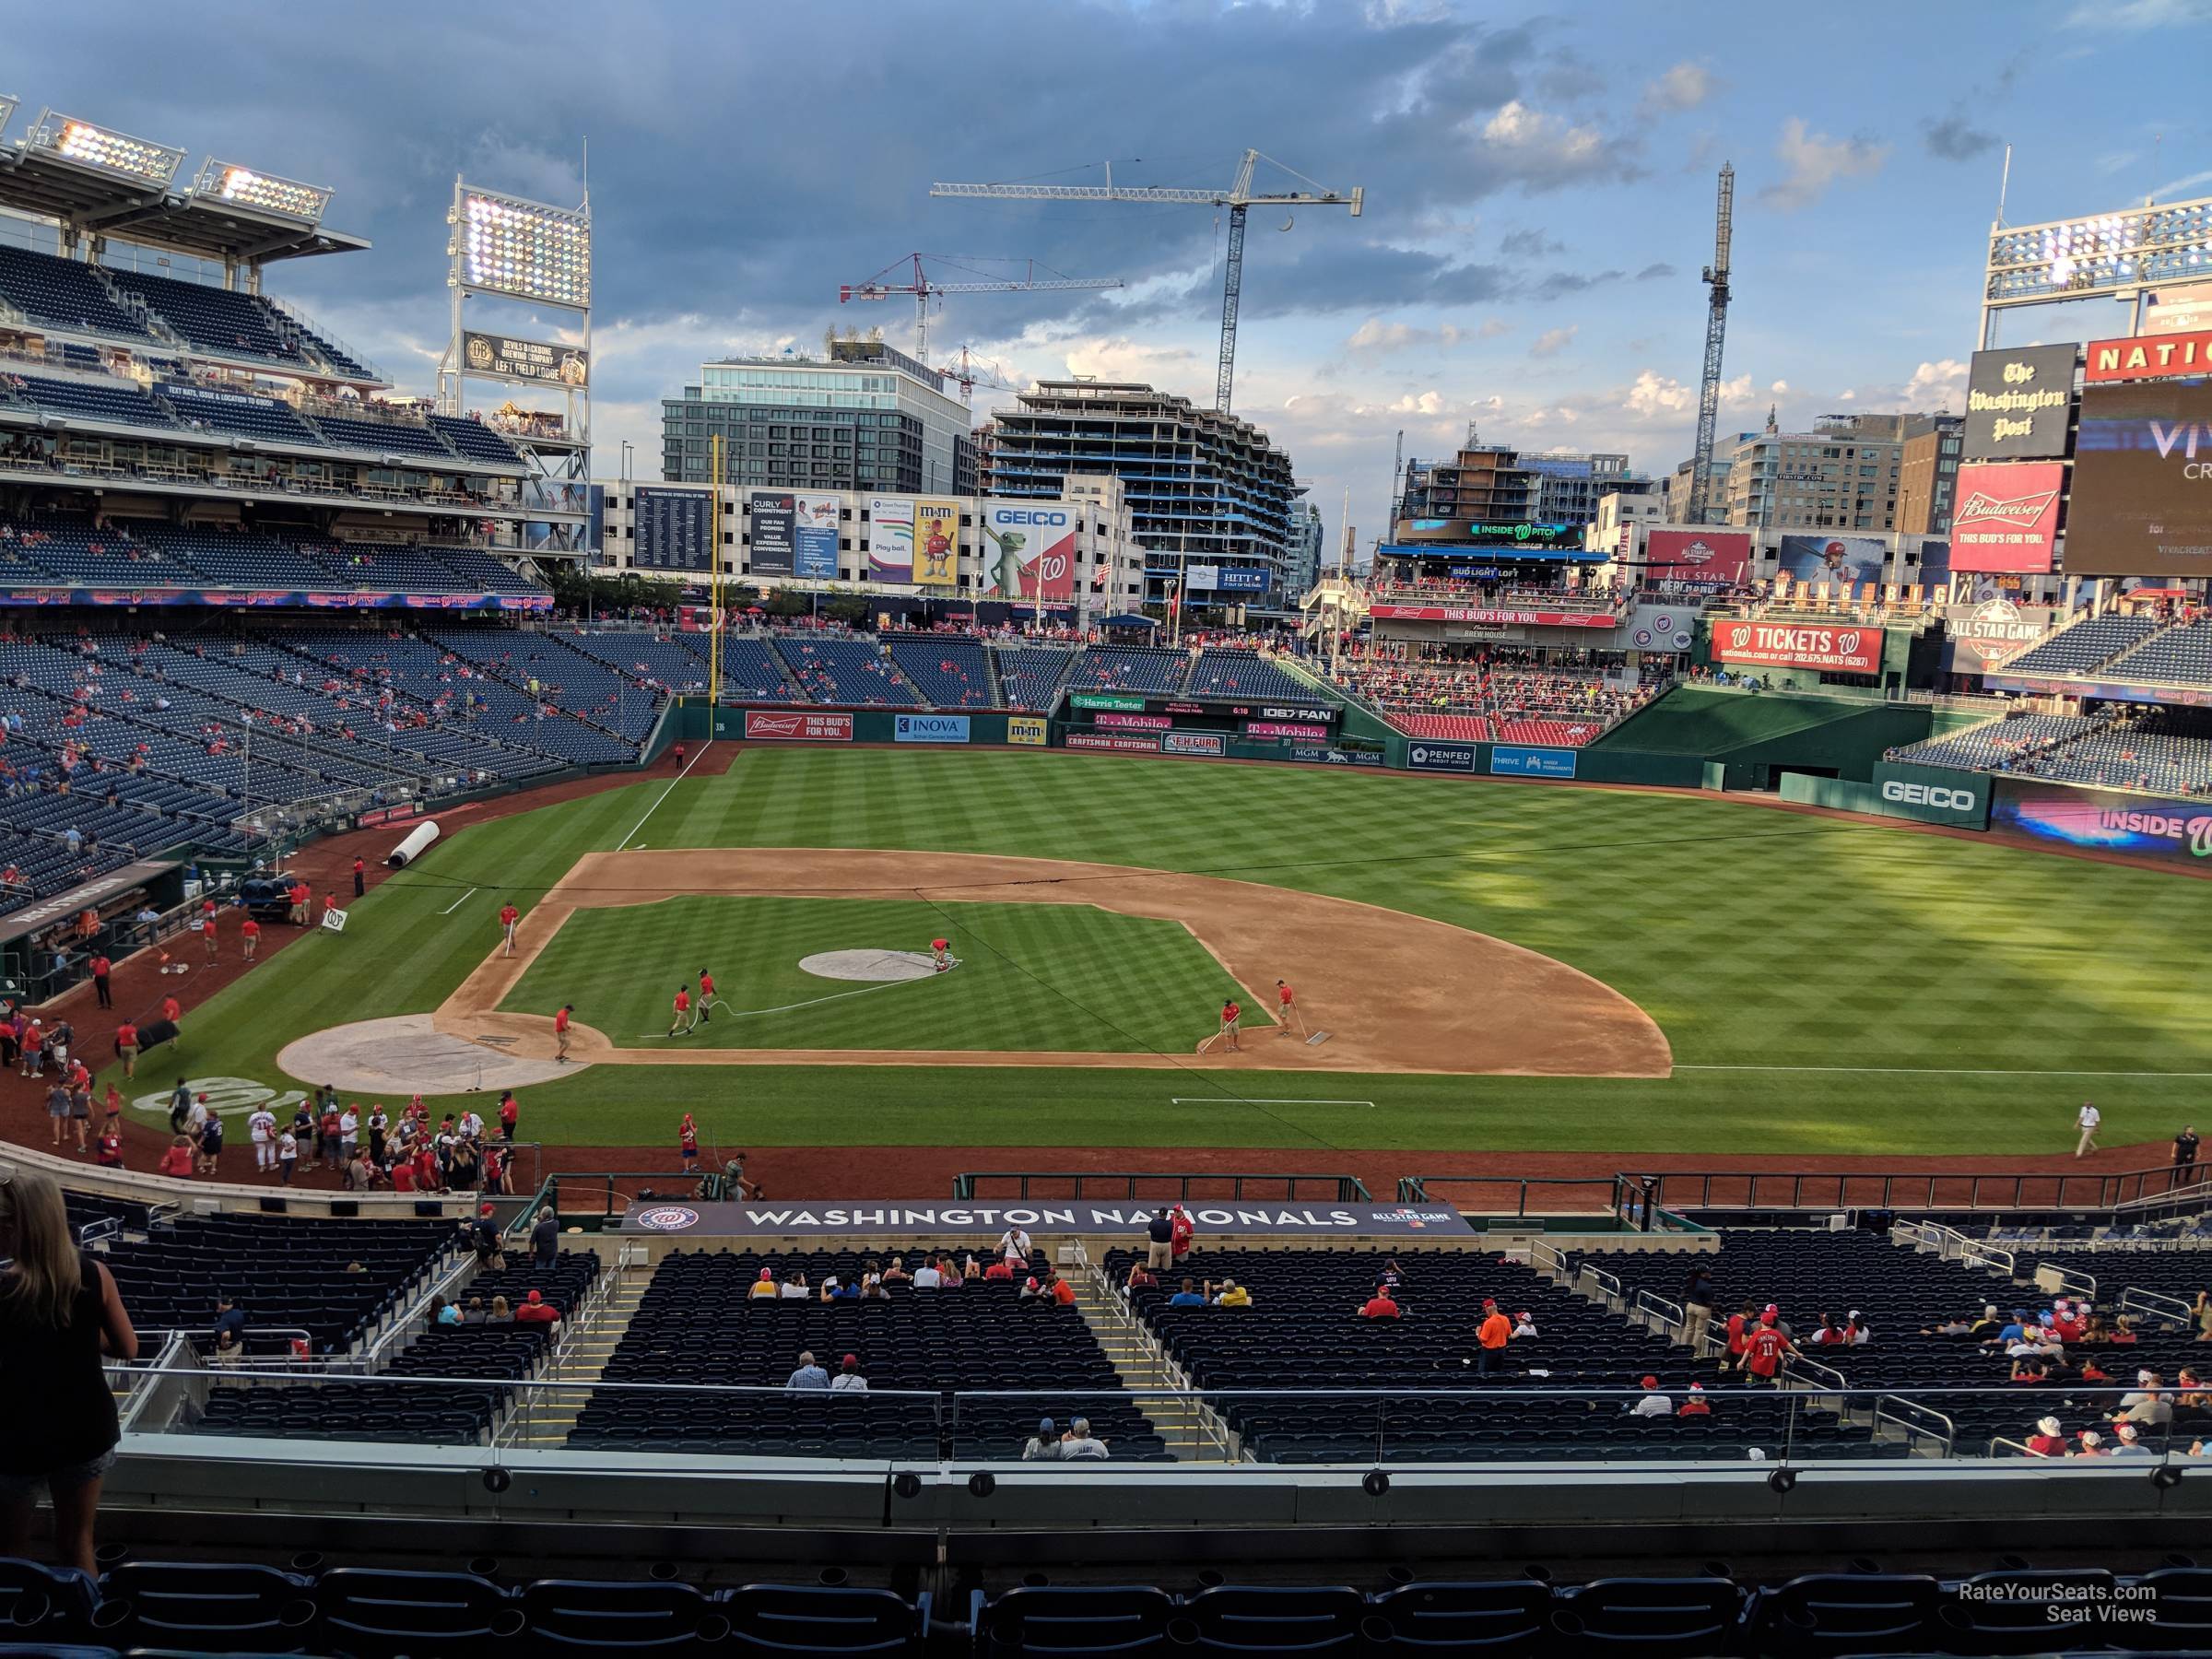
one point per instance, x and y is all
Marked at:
(1399, 994)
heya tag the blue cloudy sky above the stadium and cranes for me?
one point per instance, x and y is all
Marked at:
(1538, 187)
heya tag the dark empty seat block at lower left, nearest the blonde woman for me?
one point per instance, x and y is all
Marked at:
(284, 1275)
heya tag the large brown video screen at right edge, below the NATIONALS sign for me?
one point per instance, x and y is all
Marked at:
(2140, 499)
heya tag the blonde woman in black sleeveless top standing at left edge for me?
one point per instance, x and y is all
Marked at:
(59, 1315)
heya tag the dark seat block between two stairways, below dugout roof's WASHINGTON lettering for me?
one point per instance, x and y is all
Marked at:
(698, 1324)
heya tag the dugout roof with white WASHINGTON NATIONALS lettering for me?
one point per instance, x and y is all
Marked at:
(864, 1220)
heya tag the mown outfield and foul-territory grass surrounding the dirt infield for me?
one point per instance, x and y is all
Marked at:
(1892, 992)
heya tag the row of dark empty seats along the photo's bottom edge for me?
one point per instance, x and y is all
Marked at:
(377, 1614)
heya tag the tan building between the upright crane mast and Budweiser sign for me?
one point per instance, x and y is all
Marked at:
(1839, 477)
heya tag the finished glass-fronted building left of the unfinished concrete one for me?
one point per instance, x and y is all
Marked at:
(862, 419)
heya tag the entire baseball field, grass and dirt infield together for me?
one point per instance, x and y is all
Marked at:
(1496, 968)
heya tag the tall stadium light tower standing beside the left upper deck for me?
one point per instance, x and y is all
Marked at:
(512, 249)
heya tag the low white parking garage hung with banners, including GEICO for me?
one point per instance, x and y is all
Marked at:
(1107, 559)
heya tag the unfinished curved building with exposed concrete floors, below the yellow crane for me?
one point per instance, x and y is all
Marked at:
(1209, 494)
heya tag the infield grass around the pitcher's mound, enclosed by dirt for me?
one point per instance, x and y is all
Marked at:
(1032, 979)
